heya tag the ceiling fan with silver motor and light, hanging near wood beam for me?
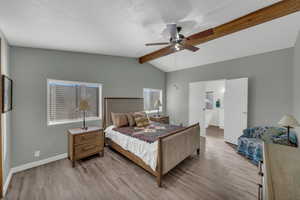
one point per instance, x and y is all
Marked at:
(177, 41)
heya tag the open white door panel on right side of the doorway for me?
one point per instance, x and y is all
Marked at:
(235, 109)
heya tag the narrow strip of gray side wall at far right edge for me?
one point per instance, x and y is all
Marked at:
(296, 84)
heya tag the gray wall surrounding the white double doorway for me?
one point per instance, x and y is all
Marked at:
(270, 85)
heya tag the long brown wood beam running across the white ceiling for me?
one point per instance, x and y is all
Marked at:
(277, 10)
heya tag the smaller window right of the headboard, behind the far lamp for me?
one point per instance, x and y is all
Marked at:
(150, 96)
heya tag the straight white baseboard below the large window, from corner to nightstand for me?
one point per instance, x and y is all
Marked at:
(38, 163)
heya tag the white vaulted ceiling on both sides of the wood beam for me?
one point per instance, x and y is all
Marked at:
(122, 27)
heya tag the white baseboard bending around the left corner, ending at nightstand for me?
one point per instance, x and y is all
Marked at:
(29, 166)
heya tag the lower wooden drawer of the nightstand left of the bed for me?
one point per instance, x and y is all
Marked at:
(85, 150)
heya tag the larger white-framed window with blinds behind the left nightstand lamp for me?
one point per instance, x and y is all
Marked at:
(64, 98)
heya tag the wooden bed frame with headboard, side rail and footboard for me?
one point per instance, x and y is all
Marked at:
(158, 173)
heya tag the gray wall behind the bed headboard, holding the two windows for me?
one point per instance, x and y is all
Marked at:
(30, 69)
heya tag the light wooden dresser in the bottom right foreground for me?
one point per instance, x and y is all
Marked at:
(280, 173)
